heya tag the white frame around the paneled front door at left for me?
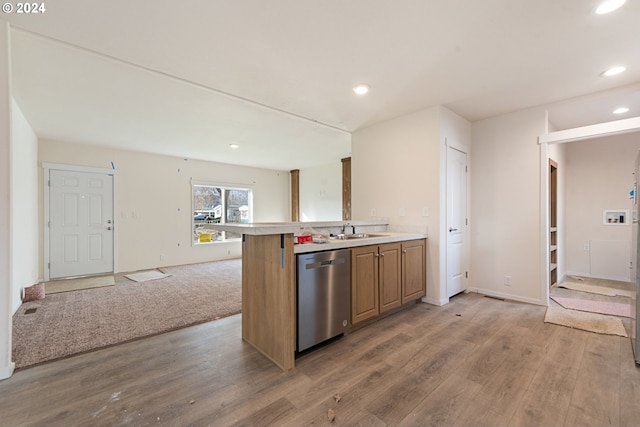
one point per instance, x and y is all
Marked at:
(47, 167)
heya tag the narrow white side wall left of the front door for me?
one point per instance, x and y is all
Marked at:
(24, 204)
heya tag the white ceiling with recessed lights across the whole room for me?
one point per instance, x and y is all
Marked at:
(189, 77)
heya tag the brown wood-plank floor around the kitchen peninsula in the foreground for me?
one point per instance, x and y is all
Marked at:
(477, 361)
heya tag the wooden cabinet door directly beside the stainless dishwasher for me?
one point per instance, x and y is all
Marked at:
(364, 283)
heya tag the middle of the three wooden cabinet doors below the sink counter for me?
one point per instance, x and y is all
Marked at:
(390, 276)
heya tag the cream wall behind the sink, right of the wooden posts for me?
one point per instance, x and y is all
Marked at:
(396, 165)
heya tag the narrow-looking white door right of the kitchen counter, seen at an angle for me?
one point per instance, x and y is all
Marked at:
(456, 221)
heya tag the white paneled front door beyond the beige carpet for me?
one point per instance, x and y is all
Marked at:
(80, 223)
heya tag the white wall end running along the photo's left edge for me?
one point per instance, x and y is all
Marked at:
(6, 365)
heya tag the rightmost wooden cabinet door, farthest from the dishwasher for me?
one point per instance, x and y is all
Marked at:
(414, 271)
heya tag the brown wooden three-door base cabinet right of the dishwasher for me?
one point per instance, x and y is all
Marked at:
(386, 276)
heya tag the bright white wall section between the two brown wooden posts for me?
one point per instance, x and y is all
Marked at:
(321, 193)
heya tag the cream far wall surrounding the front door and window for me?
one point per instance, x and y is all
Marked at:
(153, 217)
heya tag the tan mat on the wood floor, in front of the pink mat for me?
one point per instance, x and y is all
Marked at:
(590, 322)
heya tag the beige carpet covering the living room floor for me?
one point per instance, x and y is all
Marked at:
(68, 323)
